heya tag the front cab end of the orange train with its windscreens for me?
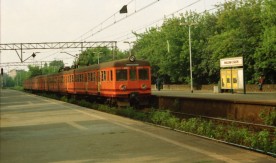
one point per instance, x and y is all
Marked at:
(127, 82)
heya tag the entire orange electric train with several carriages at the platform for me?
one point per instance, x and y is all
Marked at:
(117, 82)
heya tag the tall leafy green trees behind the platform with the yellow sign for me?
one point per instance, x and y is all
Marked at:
(239, 28)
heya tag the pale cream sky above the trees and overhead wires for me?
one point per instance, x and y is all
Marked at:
(34, 21)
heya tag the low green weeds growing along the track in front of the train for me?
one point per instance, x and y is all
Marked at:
(230, 133)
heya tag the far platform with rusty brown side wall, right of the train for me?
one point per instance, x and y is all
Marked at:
(237, 106)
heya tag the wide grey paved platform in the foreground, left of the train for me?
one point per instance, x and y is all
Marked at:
(37, 129)
